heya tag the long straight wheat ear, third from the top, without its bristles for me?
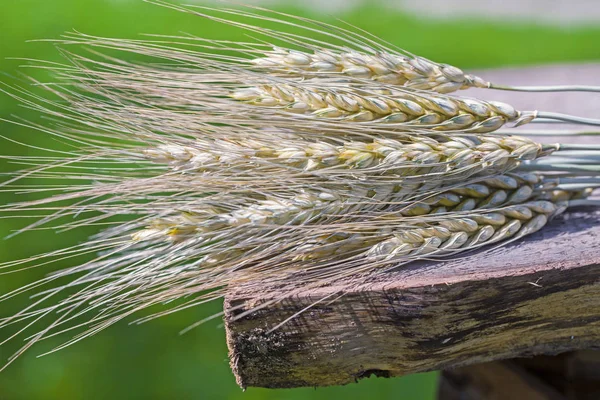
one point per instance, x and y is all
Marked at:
(400, 158)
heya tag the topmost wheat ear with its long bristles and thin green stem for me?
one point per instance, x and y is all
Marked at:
(360, 57)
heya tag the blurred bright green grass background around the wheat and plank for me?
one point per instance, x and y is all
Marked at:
(152, 361)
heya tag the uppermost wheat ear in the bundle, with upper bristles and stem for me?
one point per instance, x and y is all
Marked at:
(357, 54)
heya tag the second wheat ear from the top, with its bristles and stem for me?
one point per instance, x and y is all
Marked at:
(205, 86)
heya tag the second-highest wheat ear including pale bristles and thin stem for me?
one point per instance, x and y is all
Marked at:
(325, 102)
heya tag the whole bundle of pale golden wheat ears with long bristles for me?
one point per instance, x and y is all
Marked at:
(211, 164)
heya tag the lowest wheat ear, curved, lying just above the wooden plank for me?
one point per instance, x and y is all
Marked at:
(438, 233)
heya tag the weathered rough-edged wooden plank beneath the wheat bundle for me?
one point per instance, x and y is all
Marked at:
(540, 295)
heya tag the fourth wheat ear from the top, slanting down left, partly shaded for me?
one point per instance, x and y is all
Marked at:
(331, 206)
